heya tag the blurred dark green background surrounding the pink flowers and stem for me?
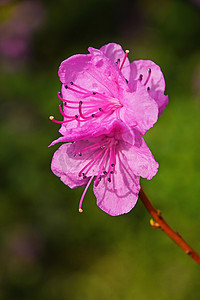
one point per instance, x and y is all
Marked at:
(48, 250)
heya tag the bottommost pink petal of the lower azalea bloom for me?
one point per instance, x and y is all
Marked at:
(120, 195)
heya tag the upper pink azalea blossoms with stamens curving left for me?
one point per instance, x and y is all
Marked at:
(103, 86)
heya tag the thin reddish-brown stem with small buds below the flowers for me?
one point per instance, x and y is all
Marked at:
(161, 223)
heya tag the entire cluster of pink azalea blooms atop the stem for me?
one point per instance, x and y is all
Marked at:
(107, 104)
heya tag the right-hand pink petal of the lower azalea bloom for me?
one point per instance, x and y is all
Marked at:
(139, 157)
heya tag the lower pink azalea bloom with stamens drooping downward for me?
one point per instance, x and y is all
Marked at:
(115, 161)
